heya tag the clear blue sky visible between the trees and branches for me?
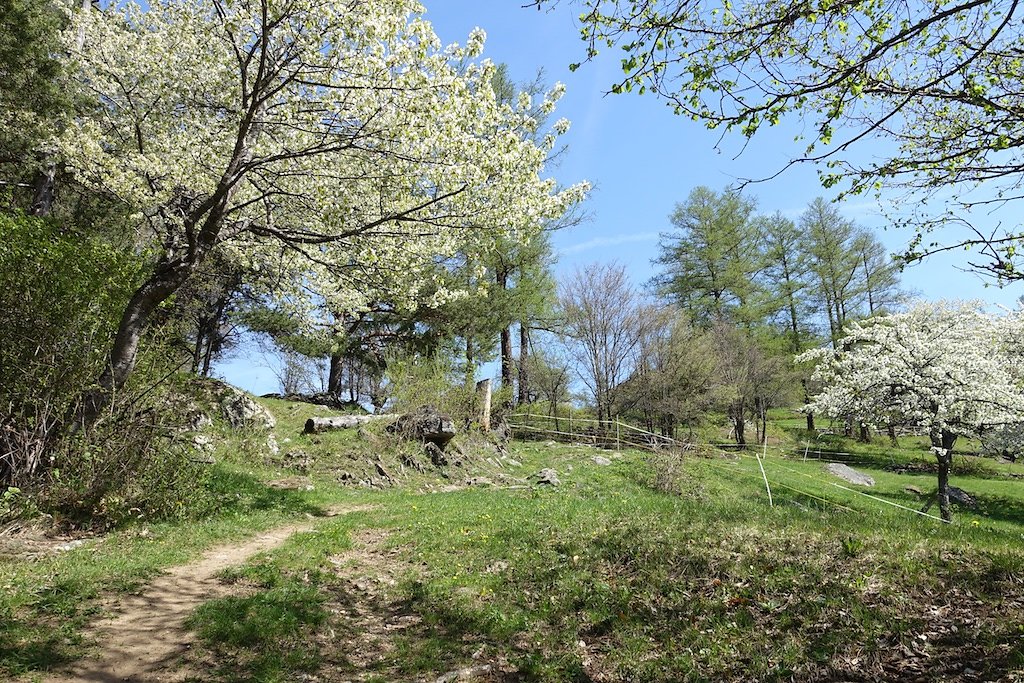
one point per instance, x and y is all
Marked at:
(644, 159)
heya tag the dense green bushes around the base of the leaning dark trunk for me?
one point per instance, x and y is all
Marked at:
(62, 295)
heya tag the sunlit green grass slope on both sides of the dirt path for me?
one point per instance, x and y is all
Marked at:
(651, 569)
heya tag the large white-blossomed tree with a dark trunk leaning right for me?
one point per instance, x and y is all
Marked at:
(339, 135)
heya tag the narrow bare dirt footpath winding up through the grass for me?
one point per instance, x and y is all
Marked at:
(144, 641)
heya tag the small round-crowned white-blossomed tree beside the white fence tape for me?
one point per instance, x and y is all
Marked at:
(942, 367)
